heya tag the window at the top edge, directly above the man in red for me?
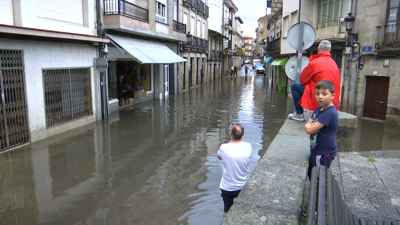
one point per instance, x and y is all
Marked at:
(328, 13)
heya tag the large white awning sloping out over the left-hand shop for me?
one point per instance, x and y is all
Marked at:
(145, 51)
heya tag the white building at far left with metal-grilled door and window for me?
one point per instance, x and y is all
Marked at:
(49, 83)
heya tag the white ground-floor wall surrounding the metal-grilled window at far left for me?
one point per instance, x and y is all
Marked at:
(47, 55)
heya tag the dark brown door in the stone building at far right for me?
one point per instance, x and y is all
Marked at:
(376, 95)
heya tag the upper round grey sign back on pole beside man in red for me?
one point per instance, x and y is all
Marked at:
(308, 36)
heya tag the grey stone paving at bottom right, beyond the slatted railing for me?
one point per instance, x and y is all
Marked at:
(370, 182)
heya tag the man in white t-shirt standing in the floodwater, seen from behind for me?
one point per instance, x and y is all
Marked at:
(235, 156)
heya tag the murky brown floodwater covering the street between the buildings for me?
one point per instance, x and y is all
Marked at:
(154, 163)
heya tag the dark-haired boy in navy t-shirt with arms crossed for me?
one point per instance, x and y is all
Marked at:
(322, 127)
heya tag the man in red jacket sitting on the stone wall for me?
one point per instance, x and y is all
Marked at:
(321, 67)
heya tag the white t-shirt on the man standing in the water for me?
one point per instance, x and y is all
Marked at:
(236, 158)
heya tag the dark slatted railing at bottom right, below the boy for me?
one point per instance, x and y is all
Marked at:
(325, 197)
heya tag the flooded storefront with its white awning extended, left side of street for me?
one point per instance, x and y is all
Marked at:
(145, 65)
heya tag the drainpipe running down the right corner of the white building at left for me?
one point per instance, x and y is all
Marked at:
(103, 96)
